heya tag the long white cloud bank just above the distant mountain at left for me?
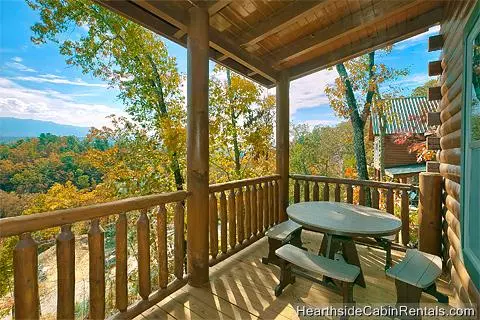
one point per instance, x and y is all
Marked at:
(49, 105)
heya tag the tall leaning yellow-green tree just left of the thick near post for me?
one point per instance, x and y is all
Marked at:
(127, 56)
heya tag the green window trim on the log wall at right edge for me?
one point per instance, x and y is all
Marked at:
(469, 218)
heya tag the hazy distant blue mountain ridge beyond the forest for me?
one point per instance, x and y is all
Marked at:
(14, 128)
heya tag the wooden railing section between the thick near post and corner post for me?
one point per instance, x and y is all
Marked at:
(243, 210)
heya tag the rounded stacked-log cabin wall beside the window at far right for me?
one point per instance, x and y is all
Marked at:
(456, 15)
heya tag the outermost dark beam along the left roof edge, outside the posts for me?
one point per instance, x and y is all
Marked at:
(150, 21)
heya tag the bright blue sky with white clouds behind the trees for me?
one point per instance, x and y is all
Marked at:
(36, 83)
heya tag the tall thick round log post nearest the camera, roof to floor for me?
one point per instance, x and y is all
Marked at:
(197, 145)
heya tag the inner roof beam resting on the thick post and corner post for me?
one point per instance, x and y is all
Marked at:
(178, 17)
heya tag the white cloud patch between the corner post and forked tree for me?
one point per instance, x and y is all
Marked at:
(309, 91)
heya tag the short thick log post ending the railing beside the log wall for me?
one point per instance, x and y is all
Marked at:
(430, 214)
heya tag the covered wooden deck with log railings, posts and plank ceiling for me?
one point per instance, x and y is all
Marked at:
(221, 235)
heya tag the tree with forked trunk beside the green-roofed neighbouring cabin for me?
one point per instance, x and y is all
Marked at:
(352, 94)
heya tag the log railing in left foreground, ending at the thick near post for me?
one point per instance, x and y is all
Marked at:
(25, 256)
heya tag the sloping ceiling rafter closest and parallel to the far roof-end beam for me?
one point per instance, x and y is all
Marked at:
(347, 25)
